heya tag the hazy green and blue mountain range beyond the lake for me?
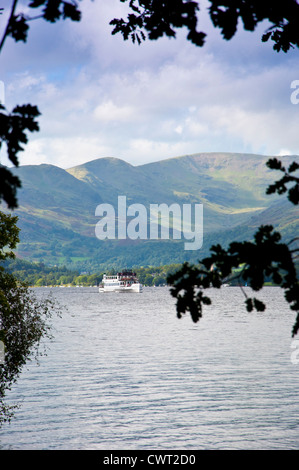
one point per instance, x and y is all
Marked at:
(57, 207)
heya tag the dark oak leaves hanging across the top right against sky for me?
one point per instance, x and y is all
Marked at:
(158, 18)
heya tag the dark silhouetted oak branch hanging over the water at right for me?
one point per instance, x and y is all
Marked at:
(265, 257)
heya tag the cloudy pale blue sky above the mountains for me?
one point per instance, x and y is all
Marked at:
(101, 96)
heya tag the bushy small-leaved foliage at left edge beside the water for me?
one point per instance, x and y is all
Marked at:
(24, 320)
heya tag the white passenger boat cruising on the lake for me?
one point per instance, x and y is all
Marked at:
(125, 281)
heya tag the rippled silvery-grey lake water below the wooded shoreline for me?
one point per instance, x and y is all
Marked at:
(122, 372)
